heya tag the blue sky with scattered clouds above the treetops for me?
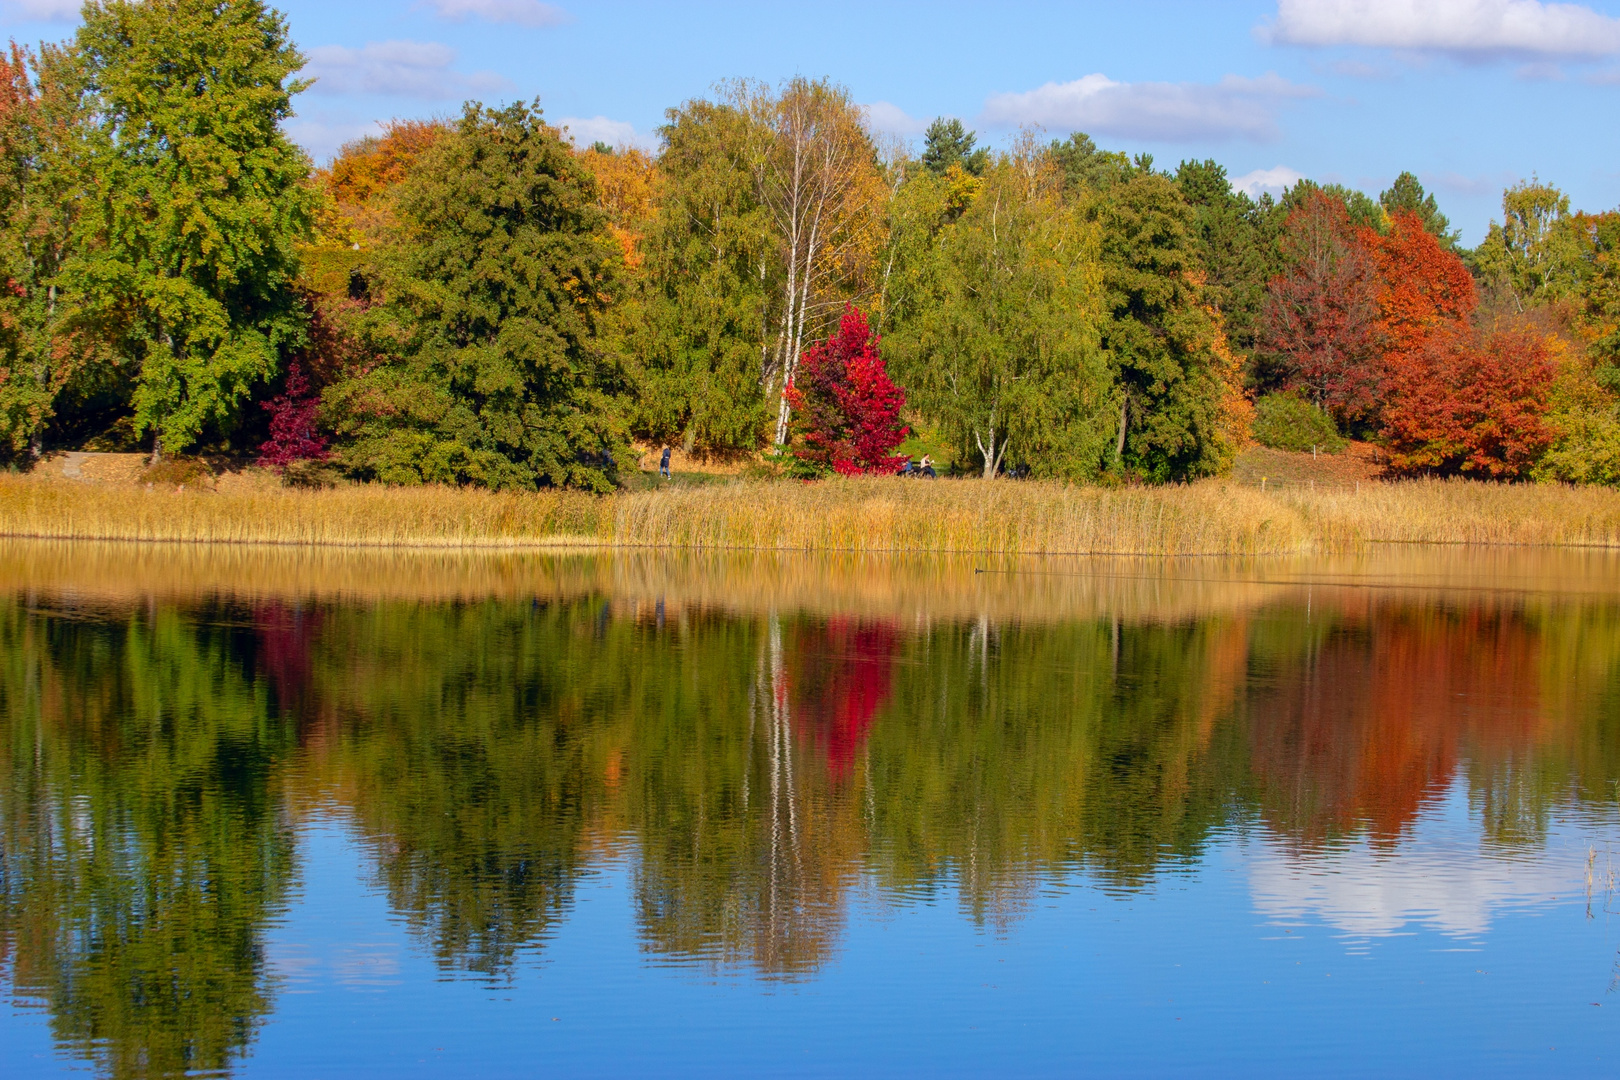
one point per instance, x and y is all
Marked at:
(1470, 95)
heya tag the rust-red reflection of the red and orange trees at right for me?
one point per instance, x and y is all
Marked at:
(1373, 726)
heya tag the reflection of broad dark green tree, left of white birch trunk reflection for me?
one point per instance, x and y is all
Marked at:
(469, 738)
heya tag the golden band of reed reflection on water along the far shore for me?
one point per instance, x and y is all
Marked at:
(908, 590)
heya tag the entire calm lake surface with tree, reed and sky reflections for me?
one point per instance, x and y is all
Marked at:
(312, 814)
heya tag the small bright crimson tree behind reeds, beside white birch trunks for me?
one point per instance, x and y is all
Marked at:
(845, 404)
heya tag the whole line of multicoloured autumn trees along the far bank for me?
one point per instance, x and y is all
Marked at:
(482, 302)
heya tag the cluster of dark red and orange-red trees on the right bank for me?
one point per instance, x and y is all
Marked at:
(1383, 330)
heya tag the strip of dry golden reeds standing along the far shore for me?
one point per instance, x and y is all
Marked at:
(863, 516)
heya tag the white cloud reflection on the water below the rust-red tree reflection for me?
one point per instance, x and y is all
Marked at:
(1441, 877)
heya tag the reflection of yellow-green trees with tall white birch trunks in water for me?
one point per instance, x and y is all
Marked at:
(746, 846)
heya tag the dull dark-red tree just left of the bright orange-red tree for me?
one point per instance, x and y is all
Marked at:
(1319, 321)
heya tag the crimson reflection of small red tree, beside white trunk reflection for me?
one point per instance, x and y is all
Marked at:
(840, 676)
